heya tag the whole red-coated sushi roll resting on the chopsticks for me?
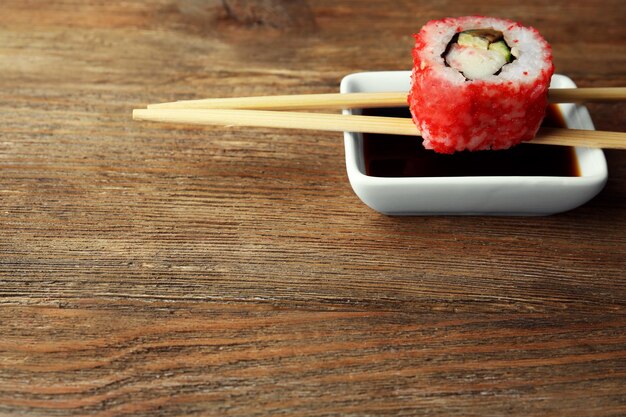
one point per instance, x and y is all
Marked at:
(478, 83)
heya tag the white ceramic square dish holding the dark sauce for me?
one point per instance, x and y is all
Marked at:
(471, 195)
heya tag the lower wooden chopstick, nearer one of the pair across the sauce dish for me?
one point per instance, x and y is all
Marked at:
(353, 123)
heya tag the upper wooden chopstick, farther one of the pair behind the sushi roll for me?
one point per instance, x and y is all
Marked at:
(367, 100)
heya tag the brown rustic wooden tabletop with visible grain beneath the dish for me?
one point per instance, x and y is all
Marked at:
(165, 270)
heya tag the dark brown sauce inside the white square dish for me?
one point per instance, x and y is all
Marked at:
(404, 156)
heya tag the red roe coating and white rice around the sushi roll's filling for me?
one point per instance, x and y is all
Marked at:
(454, 114)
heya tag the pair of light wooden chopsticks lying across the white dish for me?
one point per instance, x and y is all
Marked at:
(270, 112)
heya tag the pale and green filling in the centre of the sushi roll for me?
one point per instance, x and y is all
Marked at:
(479, 53)
